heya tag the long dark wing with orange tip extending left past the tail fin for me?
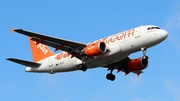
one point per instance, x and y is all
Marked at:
(59, 44)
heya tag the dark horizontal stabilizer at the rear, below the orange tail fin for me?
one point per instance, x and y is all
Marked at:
(25, 63)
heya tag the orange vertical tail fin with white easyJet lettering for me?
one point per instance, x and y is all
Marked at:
(39, 51)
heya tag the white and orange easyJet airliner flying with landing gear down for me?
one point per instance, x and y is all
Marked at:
(110, 52)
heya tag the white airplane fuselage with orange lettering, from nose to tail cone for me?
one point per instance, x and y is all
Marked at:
(119, 46)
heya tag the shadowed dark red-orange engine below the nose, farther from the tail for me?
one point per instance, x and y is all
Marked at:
(138, 64)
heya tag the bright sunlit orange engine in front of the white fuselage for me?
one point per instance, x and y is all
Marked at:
(95, 49)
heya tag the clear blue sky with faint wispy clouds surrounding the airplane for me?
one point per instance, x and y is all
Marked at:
(85, 21)
